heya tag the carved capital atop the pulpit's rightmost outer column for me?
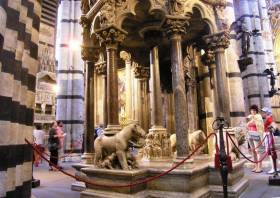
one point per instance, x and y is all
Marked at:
(218, 41)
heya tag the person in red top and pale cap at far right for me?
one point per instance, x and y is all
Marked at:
(268, 122)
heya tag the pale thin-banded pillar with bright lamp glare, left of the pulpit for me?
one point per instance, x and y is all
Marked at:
(70, 74)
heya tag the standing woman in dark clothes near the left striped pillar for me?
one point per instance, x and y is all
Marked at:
(53, 145)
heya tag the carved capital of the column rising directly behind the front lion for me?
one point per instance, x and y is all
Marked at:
(111, 35)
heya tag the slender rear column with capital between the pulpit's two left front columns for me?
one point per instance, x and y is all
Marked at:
(100, 68)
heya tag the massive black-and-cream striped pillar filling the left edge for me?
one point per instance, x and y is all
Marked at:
(19, 38)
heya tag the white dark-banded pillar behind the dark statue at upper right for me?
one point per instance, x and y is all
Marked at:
(255, 82)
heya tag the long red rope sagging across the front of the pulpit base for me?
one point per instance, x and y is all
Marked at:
(143, 181)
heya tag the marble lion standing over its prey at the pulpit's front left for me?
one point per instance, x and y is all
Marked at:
(117, 145)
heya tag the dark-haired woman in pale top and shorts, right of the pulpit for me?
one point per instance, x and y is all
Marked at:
(255, 130)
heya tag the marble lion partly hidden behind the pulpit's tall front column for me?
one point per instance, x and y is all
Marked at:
(195, 139)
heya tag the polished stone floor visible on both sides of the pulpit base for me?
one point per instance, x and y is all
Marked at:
(57, 185)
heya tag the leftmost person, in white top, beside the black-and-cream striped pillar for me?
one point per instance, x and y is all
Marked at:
(39, 137)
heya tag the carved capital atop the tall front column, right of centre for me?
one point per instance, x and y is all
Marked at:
(175, 25)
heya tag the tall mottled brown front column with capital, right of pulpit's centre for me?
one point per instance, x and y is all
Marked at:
(175, 27)
